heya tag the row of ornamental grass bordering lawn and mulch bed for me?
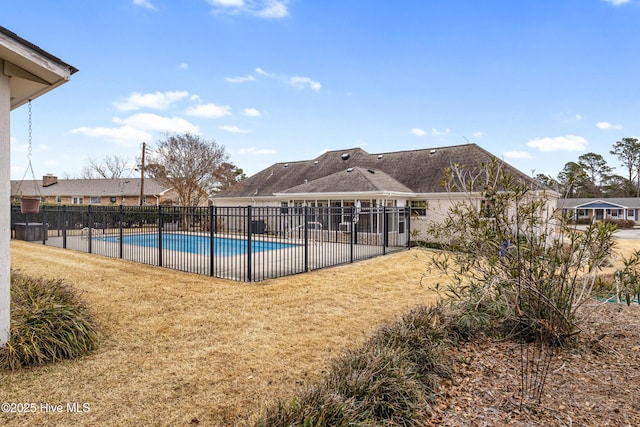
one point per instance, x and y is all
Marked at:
(390, 380)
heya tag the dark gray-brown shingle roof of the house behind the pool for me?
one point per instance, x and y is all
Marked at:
(415, 171)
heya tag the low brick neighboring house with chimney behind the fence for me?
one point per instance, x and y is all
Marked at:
(124, 191)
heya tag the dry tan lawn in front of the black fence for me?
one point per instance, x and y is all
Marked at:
(180, 348)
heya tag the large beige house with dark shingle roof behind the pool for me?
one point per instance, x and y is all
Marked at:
(353, 177)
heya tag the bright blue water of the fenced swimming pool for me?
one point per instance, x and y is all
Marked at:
(198, 244)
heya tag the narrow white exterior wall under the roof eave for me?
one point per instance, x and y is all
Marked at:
(5, 213)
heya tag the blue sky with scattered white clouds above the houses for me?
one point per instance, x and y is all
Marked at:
(537, 83)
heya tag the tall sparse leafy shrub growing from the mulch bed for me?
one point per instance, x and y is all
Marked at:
(515, 266)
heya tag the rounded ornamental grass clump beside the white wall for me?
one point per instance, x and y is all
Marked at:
(49, 323)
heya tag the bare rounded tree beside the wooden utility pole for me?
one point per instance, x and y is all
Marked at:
(189, 164)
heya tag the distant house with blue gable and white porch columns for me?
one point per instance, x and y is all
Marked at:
(601, 209)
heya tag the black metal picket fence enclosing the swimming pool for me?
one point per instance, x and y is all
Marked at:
(239, 243)
